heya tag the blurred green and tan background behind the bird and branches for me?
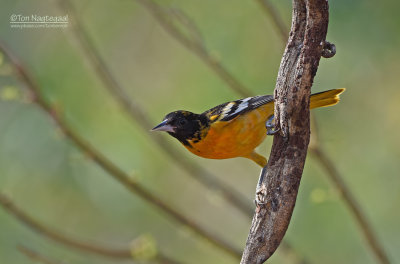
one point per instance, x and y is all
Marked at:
(46, 175)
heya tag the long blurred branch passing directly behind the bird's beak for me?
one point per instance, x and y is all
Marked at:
(139, 115)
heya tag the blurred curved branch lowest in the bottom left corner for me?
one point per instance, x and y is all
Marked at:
(26, 219)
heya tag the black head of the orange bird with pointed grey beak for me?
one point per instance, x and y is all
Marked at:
(183, 125)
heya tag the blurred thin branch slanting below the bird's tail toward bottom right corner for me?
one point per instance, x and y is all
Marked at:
(355, 208)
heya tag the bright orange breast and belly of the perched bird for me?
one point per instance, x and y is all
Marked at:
(234, 138)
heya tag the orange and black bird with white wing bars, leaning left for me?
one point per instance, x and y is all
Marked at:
(233, 129)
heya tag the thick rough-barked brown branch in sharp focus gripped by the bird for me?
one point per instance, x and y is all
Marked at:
(280, 180)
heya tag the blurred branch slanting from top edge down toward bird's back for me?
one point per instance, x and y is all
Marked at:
(165, 20)
